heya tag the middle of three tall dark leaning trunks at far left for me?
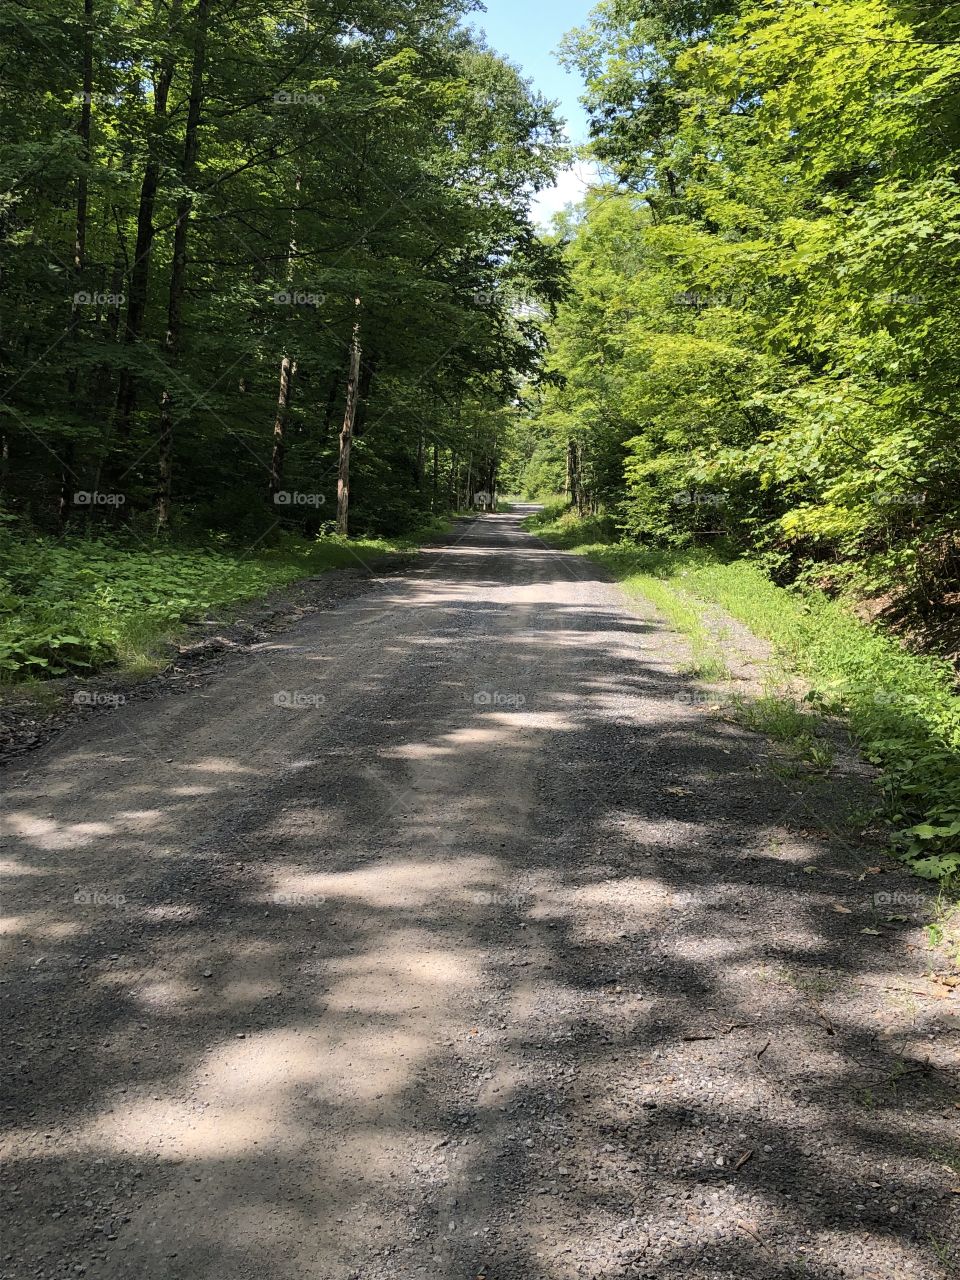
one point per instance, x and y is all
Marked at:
(140, 271)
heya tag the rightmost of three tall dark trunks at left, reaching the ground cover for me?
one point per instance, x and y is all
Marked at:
(179, 269)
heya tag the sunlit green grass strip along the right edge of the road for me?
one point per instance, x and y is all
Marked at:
(902, 708)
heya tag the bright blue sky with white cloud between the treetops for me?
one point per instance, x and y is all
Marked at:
(528, 33)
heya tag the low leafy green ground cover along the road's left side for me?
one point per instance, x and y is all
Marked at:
(79, 606)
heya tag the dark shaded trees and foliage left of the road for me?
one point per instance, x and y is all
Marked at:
(234, 232)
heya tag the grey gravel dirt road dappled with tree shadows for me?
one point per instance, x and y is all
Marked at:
(488, 954)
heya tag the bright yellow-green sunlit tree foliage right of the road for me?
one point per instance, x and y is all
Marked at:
(764, 340)
